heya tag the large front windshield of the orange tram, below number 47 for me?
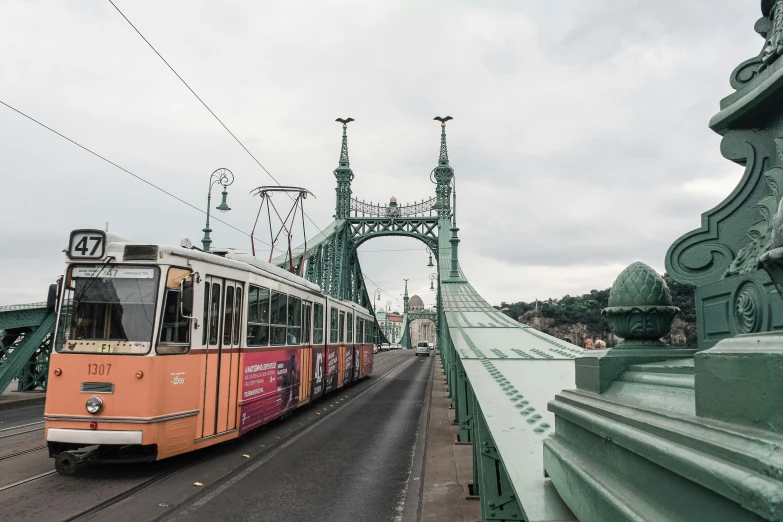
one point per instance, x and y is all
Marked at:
(108, 309)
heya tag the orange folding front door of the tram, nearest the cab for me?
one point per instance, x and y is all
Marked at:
(222, 330)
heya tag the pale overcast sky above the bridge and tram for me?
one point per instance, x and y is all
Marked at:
(579, 140)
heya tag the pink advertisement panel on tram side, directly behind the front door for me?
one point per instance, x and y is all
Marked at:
(270, 386)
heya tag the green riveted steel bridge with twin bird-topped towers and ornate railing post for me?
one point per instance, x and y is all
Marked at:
(644, 431)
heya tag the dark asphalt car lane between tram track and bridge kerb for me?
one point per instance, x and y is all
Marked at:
(354, 466)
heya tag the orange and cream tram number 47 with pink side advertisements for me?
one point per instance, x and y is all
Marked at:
(163, 350)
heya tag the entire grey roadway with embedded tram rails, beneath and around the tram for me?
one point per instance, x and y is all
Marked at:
(346, 457)
